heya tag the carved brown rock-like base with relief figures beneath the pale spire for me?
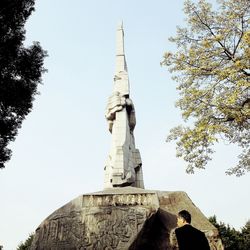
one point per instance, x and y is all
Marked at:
(121, 219)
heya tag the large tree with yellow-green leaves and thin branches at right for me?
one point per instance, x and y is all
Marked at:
(212, 68)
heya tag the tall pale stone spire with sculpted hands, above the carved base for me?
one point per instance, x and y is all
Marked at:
(123, 166)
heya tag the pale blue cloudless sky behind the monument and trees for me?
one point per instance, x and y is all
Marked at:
(61, 148)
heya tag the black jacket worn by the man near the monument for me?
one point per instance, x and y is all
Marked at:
(190, 238)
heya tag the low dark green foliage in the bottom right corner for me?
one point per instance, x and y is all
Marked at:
(231, 238)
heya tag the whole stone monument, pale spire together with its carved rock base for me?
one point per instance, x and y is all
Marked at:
(124, 216)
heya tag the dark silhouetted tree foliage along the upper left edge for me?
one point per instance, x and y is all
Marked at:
(20, 71)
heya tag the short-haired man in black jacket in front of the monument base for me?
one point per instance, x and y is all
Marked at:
(188, 237)
